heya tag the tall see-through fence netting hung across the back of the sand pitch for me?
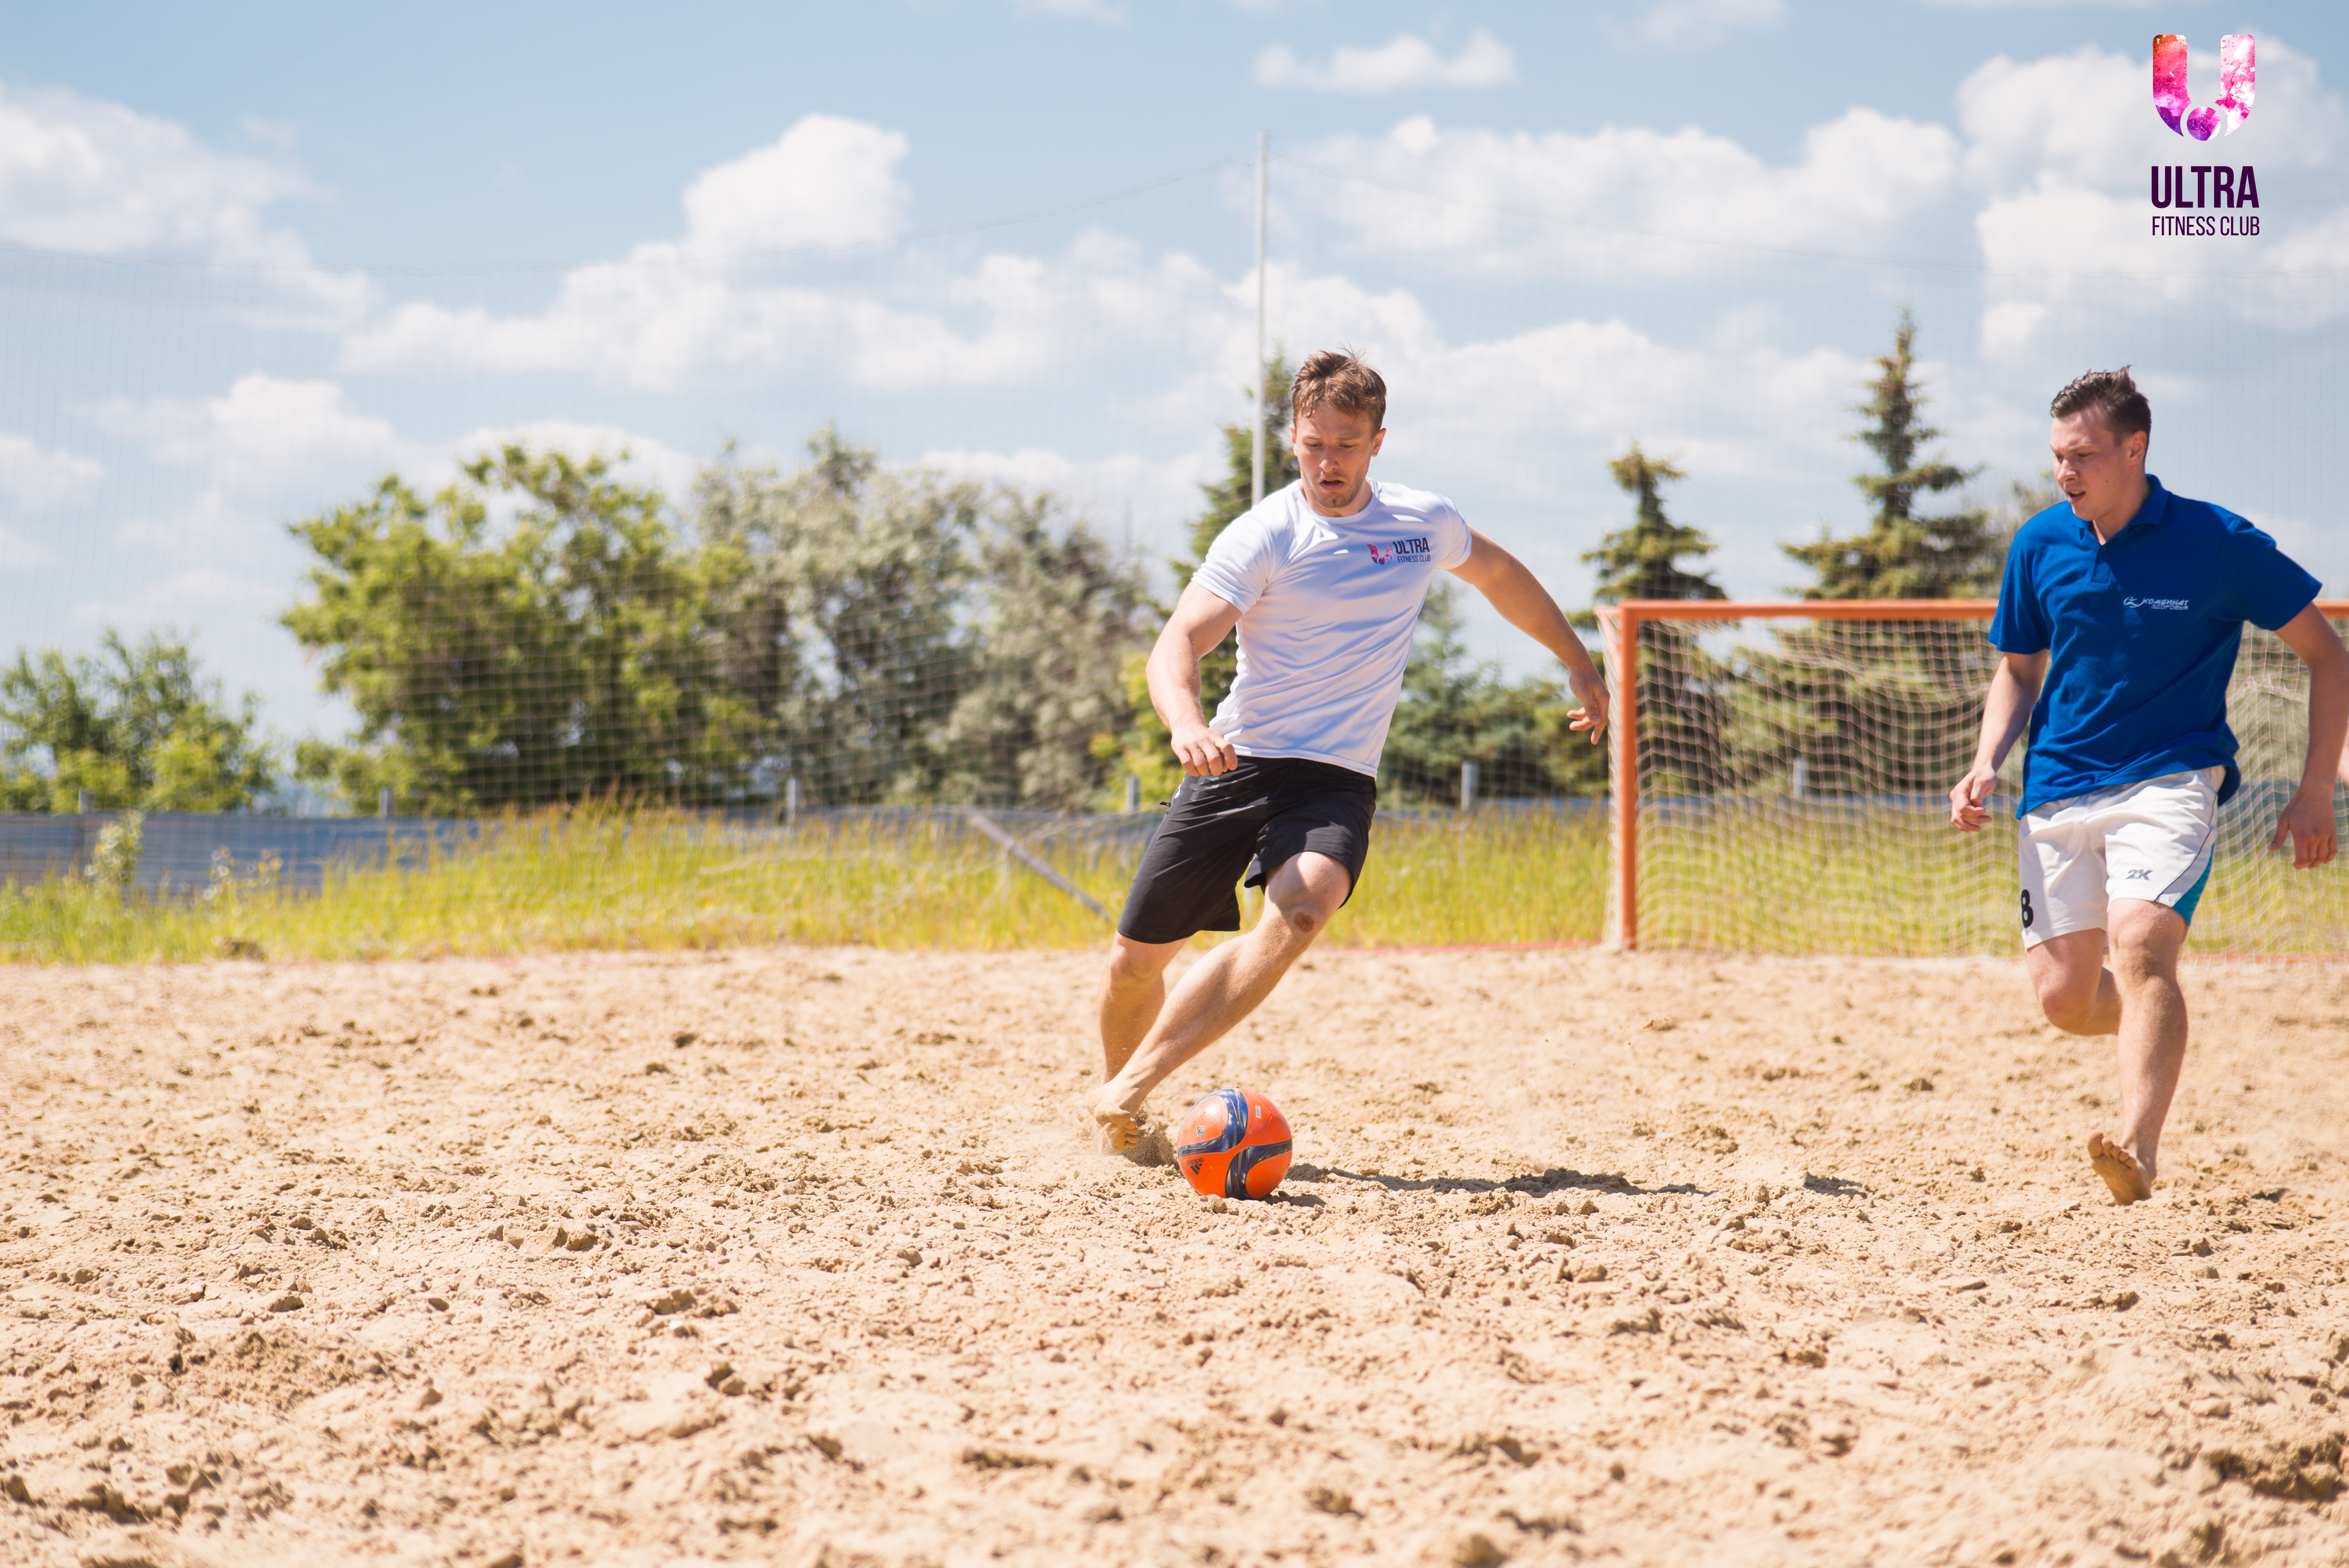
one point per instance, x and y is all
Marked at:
(704, 590)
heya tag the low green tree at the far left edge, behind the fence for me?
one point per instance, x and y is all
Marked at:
(137, 729)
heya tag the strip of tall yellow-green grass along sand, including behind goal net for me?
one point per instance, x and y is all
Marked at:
(1765, 881)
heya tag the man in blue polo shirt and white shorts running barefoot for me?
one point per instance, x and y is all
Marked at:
(2120, 623)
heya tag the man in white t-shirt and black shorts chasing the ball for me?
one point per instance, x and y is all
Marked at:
(1324, 583)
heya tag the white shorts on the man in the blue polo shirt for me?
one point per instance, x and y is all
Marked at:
(2134, 842)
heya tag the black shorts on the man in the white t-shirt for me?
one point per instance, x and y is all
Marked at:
(1253, 818)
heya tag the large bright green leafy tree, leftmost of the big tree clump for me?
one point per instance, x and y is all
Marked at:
(502, 665)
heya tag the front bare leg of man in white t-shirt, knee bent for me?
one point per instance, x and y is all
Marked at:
(1223, 989)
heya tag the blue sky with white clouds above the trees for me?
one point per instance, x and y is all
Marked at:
(255, 262)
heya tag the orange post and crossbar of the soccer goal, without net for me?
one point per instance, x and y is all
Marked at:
(1622, 623)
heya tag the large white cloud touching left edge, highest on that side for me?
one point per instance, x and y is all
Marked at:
(100, 180)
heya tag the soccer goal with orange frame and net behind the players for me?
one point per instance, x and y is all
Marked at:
(1782, 771)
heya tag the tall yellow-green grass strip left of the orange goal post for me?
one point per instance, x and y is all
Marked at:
(657, 881)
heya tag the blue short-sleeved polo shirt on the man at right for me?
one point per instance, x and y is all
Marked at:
(2141, 640)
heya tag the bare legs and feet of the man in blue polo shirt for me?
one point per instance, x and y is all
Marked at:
(2139, 1001)
